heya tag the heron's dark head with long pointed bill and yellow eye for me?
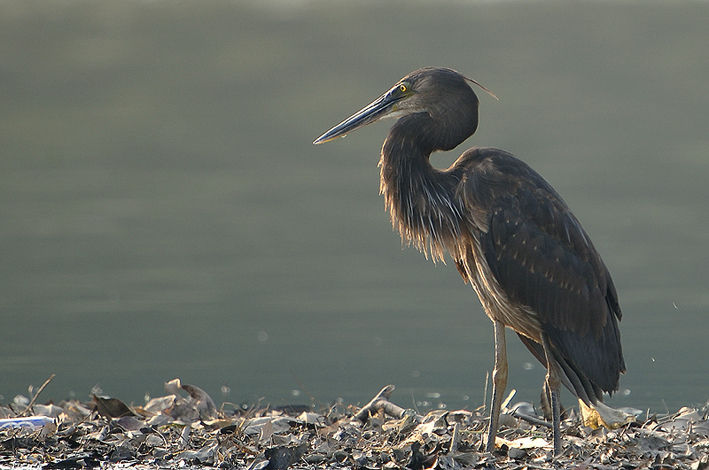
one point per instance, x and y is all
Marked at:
(432, 90)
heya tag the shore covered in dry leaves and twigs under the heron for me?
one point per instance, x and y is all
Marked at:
(185, 429)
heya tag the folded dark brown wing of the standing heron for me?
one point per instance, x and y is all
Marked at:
(543, 259)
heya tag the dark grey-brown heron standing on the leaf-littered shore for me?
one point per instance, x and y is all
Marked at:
(510, 234)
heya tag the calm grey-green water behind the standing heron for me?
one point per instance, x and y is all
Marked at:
(164, 213)
